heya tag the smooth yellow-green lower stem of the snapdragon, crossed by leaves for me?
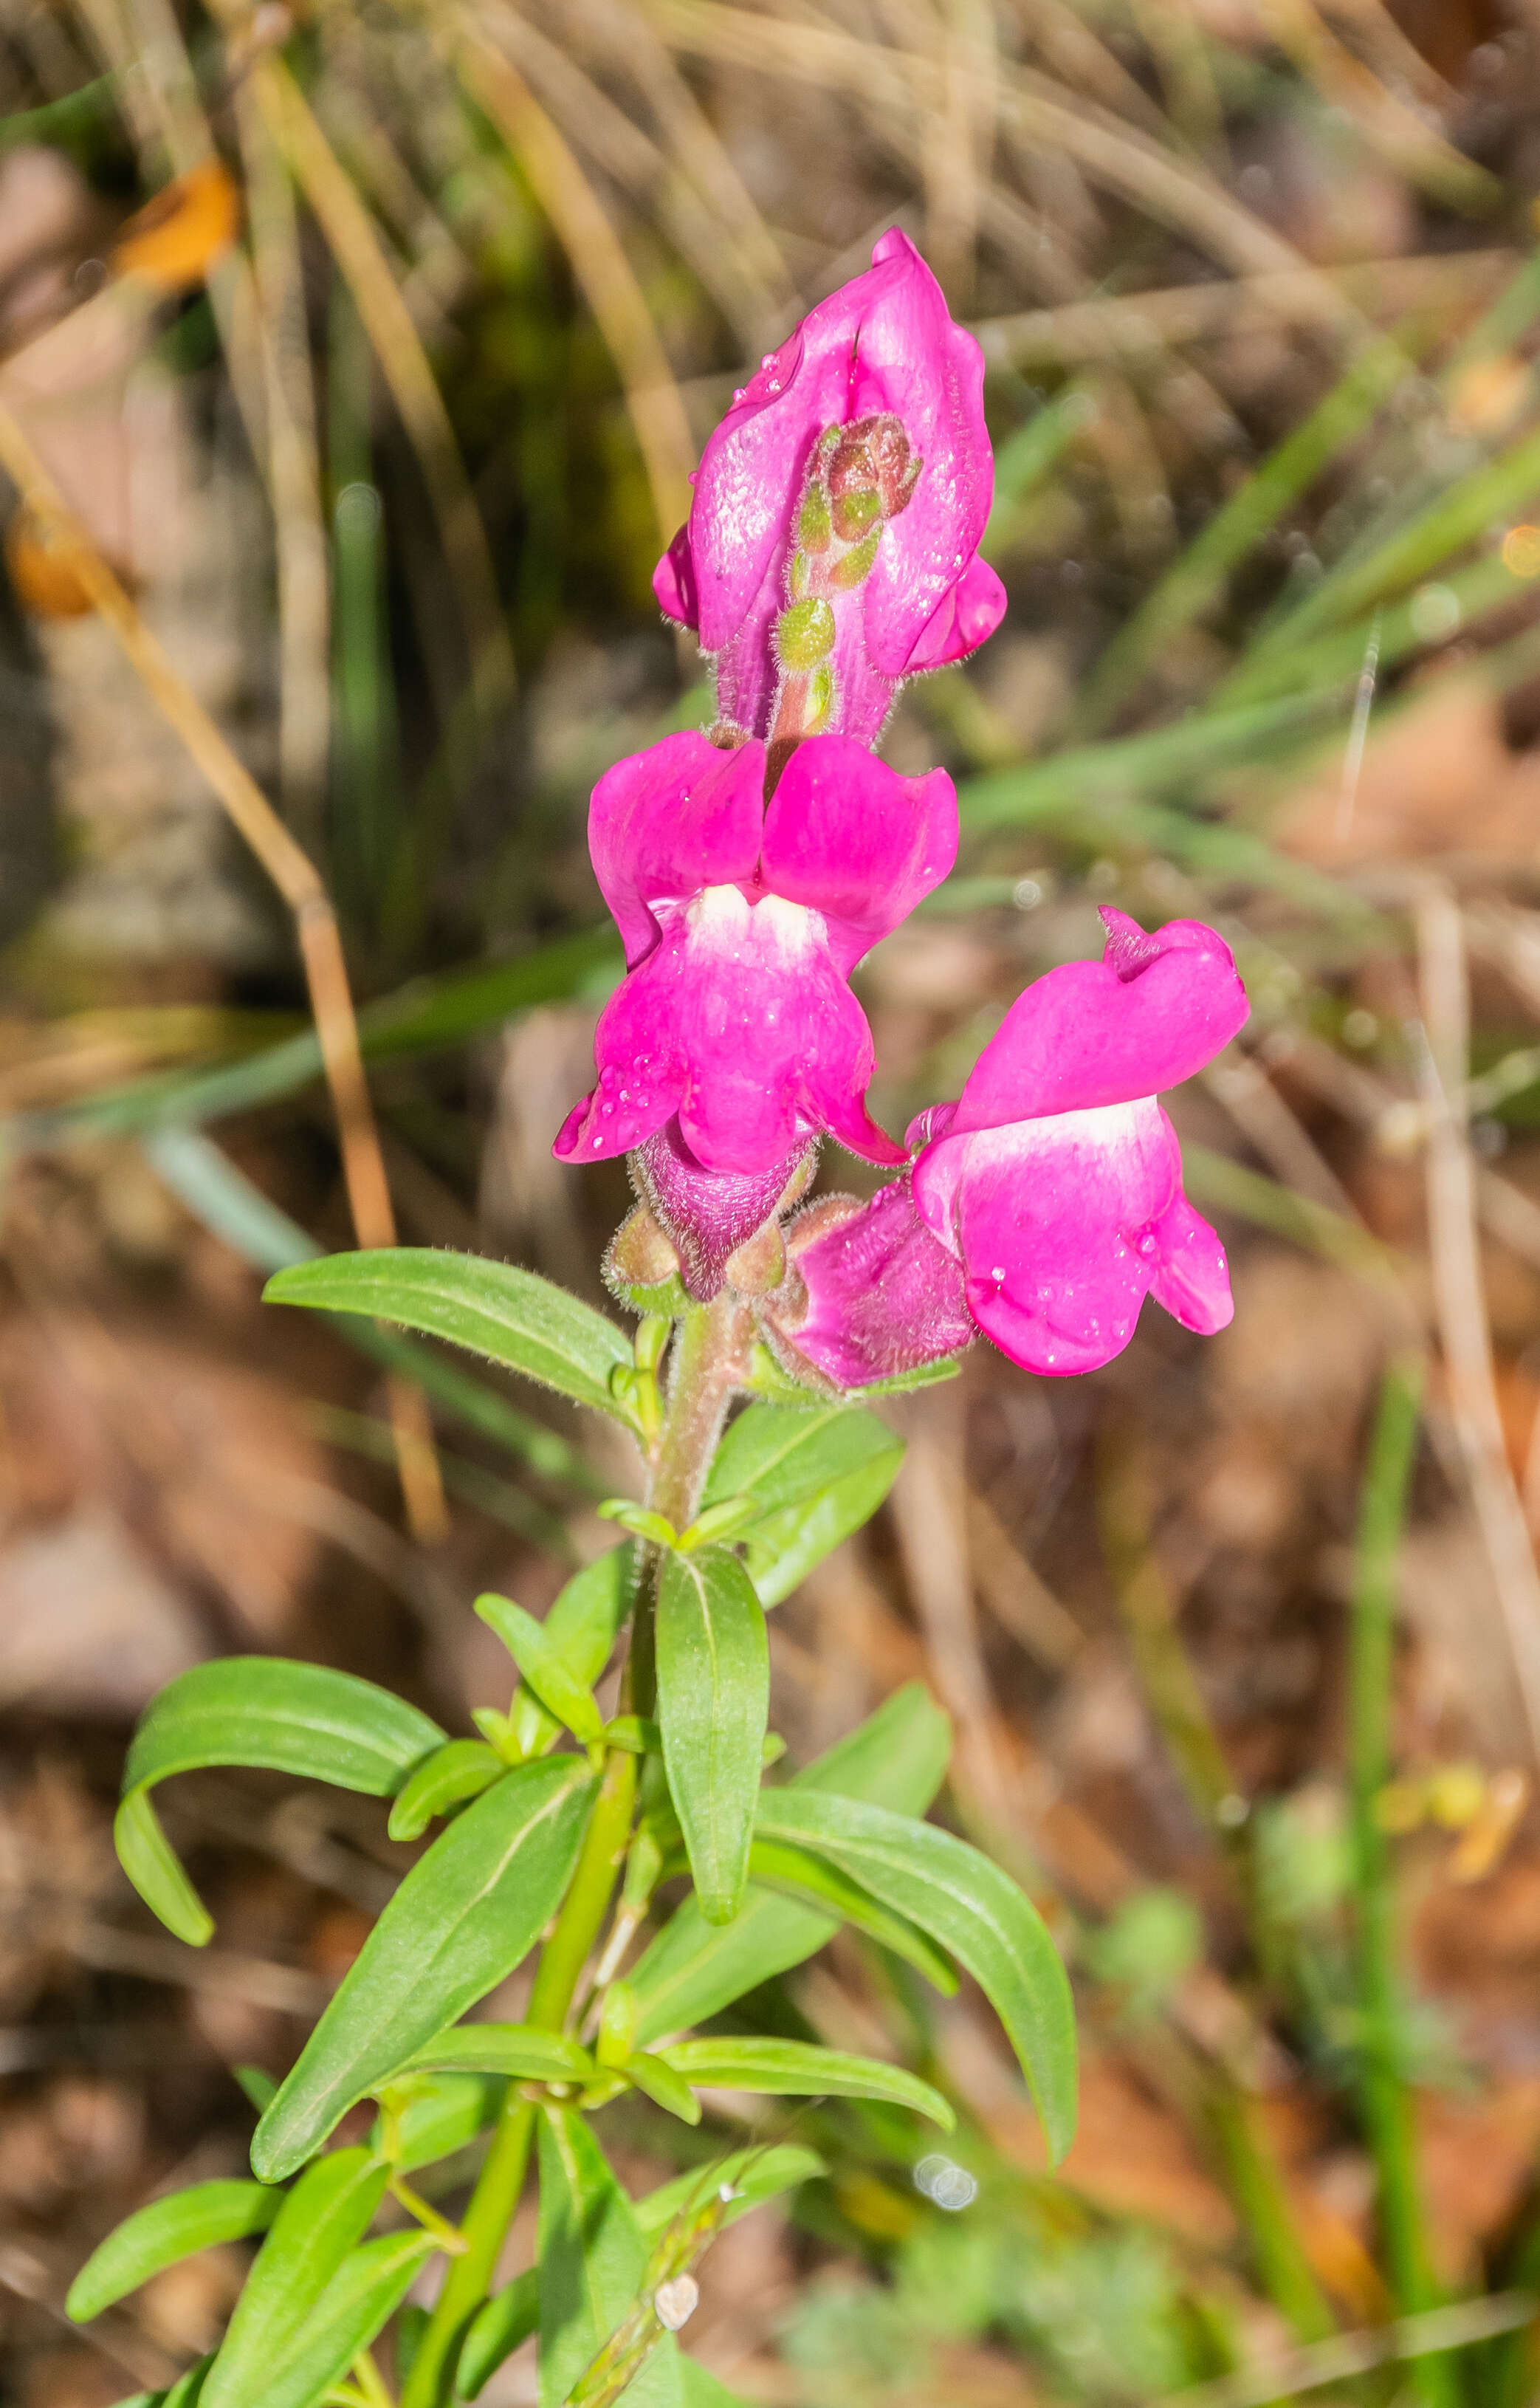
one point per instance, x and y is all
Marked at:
(504, 2173)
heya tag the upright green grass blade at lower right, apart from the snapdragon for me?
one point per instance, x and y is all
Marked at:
(1385, 2101)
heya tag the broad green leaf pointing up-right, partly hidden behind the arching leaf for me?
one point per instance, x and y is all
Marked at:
(694, 1971)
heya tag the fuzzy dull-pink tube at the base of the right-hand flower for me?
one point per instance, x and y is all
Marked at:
(882, 1294)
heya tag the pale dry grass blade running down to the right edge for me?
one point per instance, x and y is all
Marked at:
(1462, 1306)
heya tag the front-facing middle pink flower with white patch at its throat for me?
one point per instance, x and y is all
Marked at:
(742, 921)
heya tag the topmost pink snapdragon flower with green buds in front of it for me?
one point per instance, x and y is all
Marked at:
(839, 512)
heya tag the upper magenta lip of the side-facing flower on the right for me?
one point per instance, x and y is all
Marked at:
(1086, 1037)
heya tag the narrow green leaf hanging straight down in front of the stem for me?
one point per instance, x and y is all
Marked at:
(713, 1701)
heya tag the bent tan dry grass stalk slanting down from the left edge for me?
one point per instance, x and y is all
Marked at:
(302, 887)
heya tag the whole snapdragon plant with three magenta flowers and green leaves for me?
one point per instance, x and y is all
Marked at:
(644, 1858)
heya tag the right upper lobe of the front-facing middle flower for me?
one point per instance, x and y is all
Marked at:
(855, 842)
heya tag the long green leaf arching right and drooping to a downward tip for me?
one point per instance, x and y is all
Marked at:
(966, 1904)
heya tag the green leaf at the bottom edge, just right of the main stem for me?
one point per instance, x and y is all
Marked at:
(591, 2267)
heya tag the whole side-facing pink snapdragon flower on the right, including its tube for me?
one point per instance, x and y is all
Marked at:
(1048, 1200)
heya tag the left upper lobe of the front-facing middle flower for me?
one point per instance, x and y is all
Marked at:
(668, 822)
